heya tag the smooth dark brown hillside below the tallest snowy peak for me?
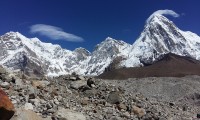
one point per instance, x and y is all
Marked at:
(169, 66)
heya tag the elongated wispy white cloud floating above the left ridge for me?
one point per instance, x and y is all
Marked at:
(54, 33)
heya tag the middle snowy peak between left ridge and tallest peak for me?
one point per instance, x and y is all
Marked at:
(105, 53)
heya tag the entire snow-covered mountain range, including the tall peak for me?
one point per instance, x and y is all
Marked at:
(159, 37)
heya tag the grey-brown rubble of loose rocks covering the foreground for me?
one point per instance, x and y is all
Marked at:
(85, 98)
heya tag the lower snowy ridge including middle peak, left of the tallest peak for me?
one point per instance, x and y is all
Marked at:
(34, 56)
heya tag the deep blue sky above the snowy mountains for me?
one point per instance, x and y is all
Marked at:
(85, 23)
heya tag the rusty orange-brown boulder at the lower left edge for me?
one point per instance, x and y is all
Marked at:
(6, 106)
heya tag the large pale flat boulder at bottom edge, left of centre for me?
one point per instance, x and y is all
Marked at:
(66, 114)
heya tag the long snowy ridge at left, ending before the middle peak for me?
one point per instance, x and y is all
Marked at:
(33, 55)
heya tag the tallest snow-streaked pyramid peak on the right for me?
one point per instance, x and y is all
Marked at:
(160, 36)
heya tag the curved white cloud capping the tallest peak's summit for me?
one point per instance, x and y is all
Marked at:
(164, 12)
